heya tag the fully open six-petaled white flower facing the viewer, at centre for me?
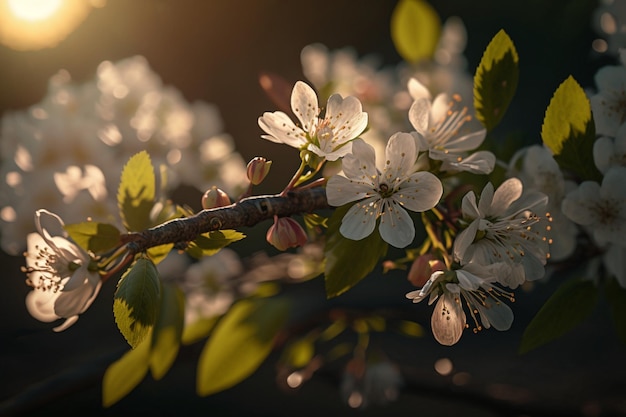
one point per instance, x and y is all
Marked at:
(383, 195)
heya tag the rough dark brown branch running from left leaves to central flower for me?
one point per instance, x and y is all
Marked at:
(247, 212)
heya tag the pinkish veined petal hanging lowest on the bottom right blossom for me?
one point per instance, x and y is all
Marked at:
(448, 320)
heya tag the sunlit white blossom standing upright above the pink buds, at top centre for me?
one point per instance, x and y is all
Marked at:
(329, 136)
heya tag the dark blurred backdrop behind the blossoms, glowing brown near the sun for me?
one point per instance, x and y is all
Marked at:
(214, 51)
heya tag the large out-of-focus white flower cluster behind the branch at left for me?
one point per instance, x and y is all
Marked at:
(65, 153)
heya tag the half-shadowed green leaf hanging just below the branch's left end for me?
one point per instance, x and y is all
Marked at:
(136, 301)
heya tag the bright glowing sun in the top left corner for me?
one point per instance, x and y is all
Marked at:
(38, 24)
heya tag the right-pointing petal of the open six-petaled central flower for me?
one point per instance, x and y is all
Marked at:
(420, 192)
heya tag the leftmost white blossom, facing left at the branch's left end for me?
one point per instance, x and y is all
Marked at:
(64, 278)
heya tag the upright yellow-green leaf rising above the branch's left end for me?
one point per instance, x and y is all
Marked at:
(136, 193)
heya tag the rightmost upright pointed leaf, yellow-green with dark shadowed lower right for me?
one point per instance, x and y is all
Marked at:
(569, 131)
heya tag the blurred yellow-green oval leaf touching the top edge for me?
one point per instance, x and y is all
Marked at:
(415, 30)
